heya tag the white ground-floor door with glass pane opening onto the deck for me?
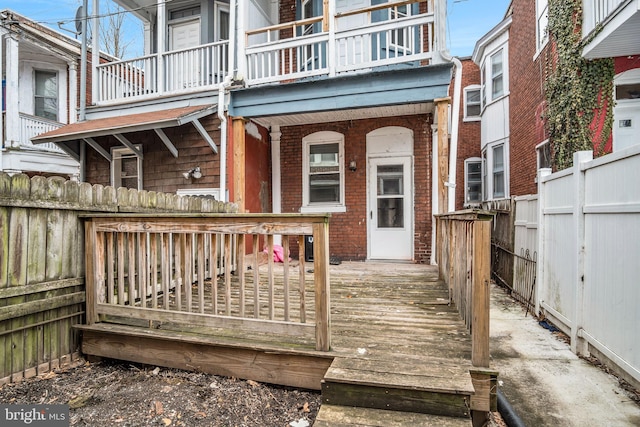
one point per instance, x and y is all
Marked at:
(390, 208)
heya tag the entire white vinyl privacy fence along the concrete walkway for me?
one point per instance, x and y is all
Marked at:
(588, 270)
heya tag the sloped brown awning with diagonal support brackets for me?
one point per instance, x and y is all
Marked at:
(70, 137)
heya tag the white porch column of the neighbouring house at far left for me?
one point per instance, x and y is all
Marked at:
(12, 104)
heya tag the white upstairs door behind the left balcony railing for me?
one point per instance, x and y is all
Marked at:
(184, 68)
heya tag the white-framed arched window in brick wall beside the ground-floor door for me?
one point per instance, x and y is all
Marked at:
(323, 173)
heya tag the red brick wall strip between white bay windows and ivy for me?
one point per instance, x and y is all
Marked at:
(527, 76)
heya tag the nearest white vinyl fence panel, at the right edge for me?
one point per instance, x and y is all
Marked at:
(612, 257)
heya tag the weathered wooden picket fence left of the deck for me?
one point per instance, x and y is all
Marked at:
(42, 285)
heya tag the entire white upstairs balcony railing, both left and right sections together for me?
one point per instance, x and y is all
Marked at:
(338, 38)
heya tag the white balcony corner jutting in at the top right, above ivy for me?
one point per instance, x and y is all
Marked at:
(613, 27)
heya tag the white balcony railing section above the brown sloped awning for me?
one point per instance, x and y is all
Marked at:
(167, 73)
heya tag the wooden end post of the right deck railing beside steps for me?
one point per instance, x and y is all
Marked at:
(480, 293)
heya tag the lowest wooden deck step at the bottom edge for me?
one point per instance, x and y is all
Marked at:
(343, 416)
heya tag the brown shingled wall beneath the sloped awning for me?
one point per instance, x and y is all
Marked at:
(161, 171)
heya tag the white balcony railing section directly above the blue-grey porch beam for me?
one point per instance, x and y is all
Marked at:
(371, 44)
